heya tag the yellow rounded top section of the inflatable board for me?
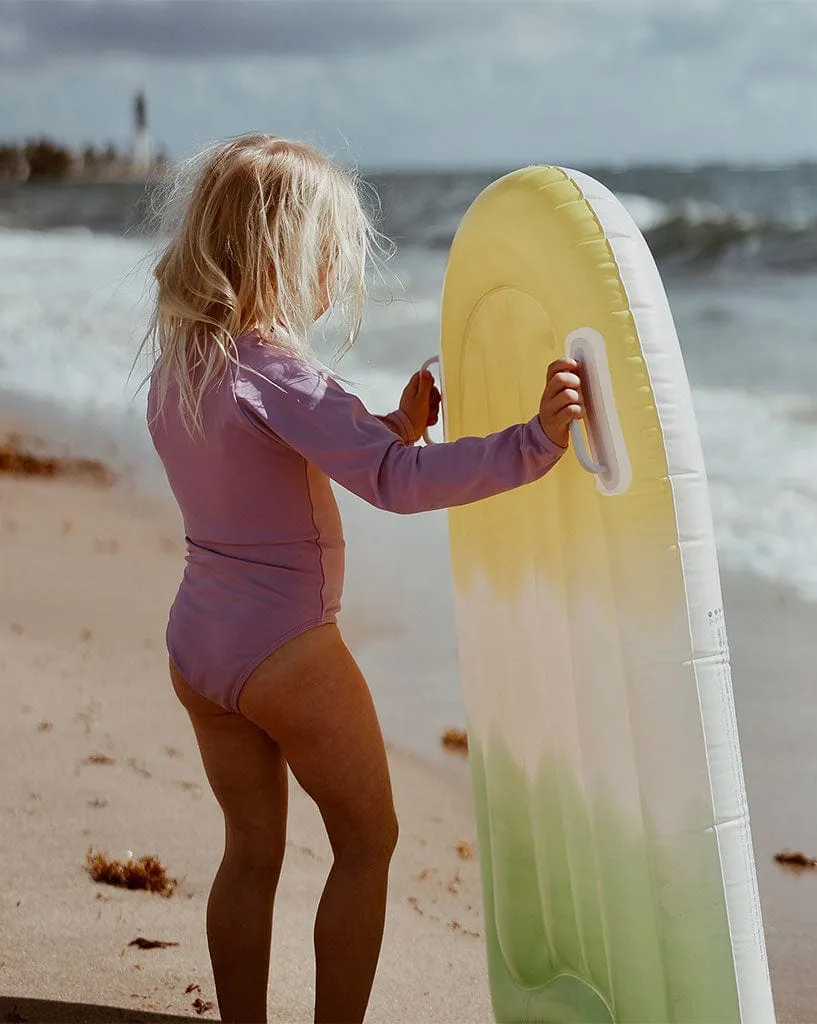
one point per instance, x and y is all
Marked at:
(508, 306)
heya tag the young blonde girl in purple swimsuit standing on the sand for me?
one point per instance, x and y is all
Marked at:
(251, 430)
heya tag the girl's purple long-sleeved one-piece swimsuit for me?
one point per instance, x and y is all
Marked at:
(265, 539)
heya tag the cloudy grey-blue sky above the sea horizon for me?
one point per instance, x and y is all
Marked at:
(424, 82)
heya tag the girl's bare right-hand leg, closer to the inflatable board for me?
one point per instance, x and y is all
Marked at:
(313, 700)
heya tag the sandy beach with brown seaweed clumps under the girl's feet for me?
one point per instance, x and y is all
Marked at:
(97, 753)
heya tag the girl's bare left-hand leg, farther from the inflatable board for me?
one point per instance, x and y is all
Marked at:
(248, 775)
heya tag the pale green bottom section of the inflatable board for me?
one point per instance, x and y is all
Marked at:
(587, 919)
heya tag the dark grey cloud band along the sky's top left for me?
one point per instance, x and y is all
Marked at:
(41, 30)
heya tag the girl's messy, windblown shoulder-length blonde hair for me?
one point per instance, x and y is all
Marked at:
(266, 234)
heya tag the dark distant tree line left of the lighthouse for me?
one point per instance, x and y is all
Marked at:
(42, 159)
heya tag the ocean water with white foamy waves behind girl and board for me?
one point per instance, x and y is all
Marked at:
(74, 300)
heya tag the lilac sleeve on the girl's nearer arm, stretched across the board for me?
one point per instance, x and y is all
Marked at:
(332, 429)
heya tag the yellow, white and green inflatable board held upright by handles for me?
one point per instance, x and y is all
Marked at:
(619, 877)
